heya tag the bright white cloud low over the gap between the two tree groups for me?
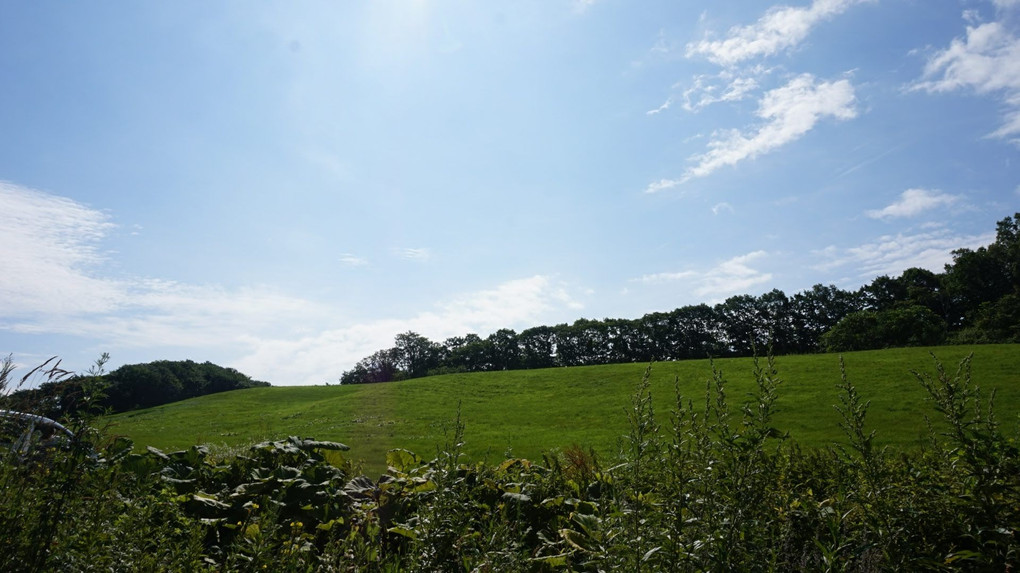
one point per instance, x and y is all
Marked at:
(521, 303)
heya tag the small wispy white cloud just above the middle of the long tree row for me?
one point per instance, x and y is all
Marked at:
(729, 278)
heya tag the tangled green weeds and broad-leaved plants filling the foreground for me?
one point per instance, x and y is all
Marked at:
(710, 486)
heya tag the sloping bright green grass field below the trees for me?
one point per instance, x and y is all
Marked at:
(531, 412)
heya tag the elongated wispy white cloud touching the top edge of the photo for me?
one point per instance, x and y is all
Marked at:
(781, 29)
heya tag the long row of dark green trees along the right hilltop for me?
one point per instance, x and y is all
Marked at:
(977, 299)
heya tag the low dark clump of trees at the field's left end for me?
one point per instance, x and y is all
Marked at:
(131, 387)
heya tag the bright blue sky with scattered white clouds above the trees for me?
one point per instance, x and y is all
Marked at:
(282, 188)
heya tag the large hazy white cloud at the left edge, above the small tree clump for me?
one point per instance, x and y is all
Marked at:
(54, 283)
